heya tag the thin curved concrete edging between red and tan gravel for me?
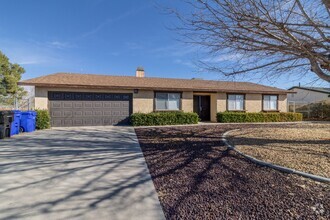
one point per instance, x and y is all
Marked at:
(276, 167)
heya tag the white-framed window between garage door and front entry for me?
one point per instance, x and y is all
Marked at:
(167, 101)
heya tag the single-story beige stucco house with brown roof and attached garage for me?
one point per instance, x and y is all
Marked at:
(85, 99)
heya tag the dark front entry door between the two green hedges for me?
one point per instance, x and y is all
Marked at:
(202, 107)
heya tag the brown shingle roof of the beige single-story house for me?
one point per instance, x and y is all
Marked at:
(130, 82)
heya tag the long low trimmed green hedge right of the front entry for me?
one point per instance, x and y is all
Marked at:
(239, 117)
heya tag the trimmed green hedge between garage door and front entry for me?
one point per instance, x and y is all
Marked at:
(164, 118)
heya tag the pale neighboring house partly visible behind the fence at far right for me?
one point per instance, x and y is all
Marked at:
(309, 94)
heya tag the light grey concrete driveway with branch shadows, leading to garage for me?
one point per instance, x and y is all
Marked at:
(76, 173)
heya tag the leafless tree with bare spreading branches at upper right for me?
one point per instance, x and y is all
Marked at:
(266, 36)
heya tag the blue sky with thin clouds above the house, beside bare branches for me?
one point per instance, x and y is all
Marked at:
(106, 37)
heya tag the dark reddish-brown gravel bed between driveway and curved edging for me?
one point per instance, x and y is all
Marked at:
(196, 177)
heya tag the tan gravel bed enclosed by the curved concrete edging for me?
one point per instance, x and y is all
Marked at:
(305, 147)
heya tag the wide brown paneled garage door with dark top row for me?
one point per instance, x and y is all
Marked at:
(89, 109)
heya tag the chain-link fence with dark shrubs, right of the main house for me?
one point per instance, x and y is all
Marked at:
(311, 110)
